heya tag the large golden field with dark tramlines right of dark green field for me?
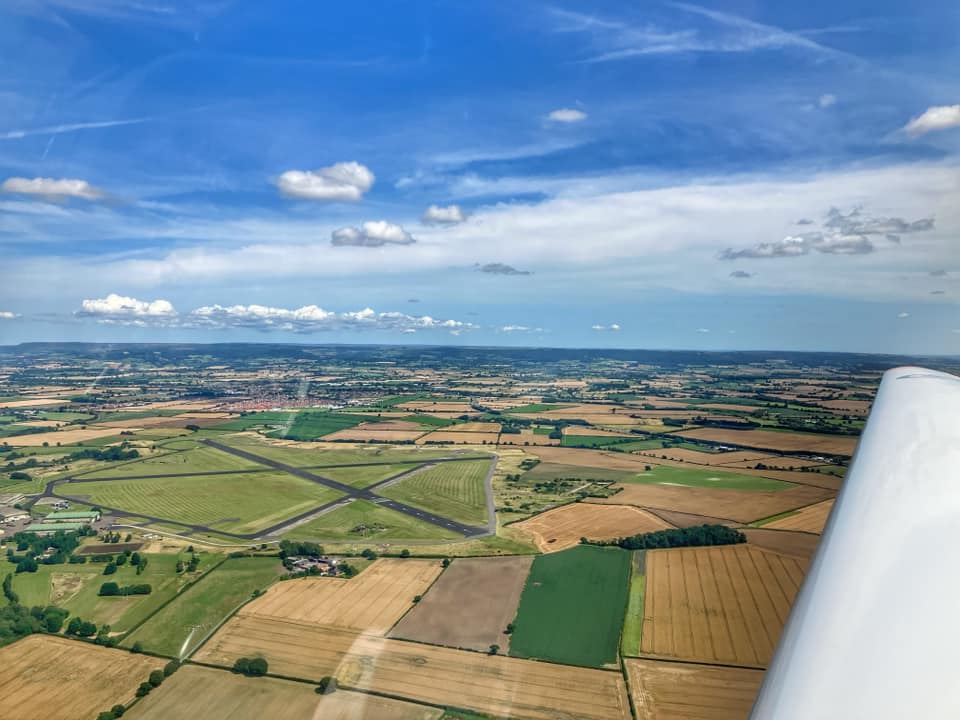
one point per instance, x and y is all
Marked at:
(719, 604)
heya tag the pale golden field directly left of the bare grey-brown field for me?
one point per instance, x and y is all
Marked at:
(372, 601)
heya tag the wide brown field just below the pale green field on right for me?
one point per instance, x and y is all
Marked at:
(737, 505)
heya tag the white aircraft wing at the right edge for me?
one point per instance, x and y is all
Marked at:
(875, 629)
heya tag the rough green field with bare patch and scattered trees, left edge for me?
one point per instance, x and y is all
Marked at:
(75, 588)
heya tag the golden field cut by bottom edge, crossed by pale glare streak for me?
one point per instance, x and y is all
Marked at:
(201, 692)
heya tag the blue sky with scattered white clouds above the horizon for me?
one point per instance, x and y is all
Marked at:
(732, 175)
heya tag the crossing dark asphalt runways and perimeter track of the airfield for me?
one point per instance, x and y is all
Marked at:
(54, 490)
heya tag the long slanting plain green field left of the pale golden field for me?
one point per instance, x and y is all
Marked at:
(199, 608)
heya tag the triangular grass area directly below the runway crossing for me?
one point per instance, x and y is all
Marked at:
(361, 521)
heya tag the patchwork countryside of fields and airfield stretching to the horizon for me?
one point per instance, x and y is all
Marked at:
(460, 503)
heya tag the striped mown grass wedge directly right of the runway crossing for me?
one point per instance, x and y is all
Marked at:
(453, 490)
